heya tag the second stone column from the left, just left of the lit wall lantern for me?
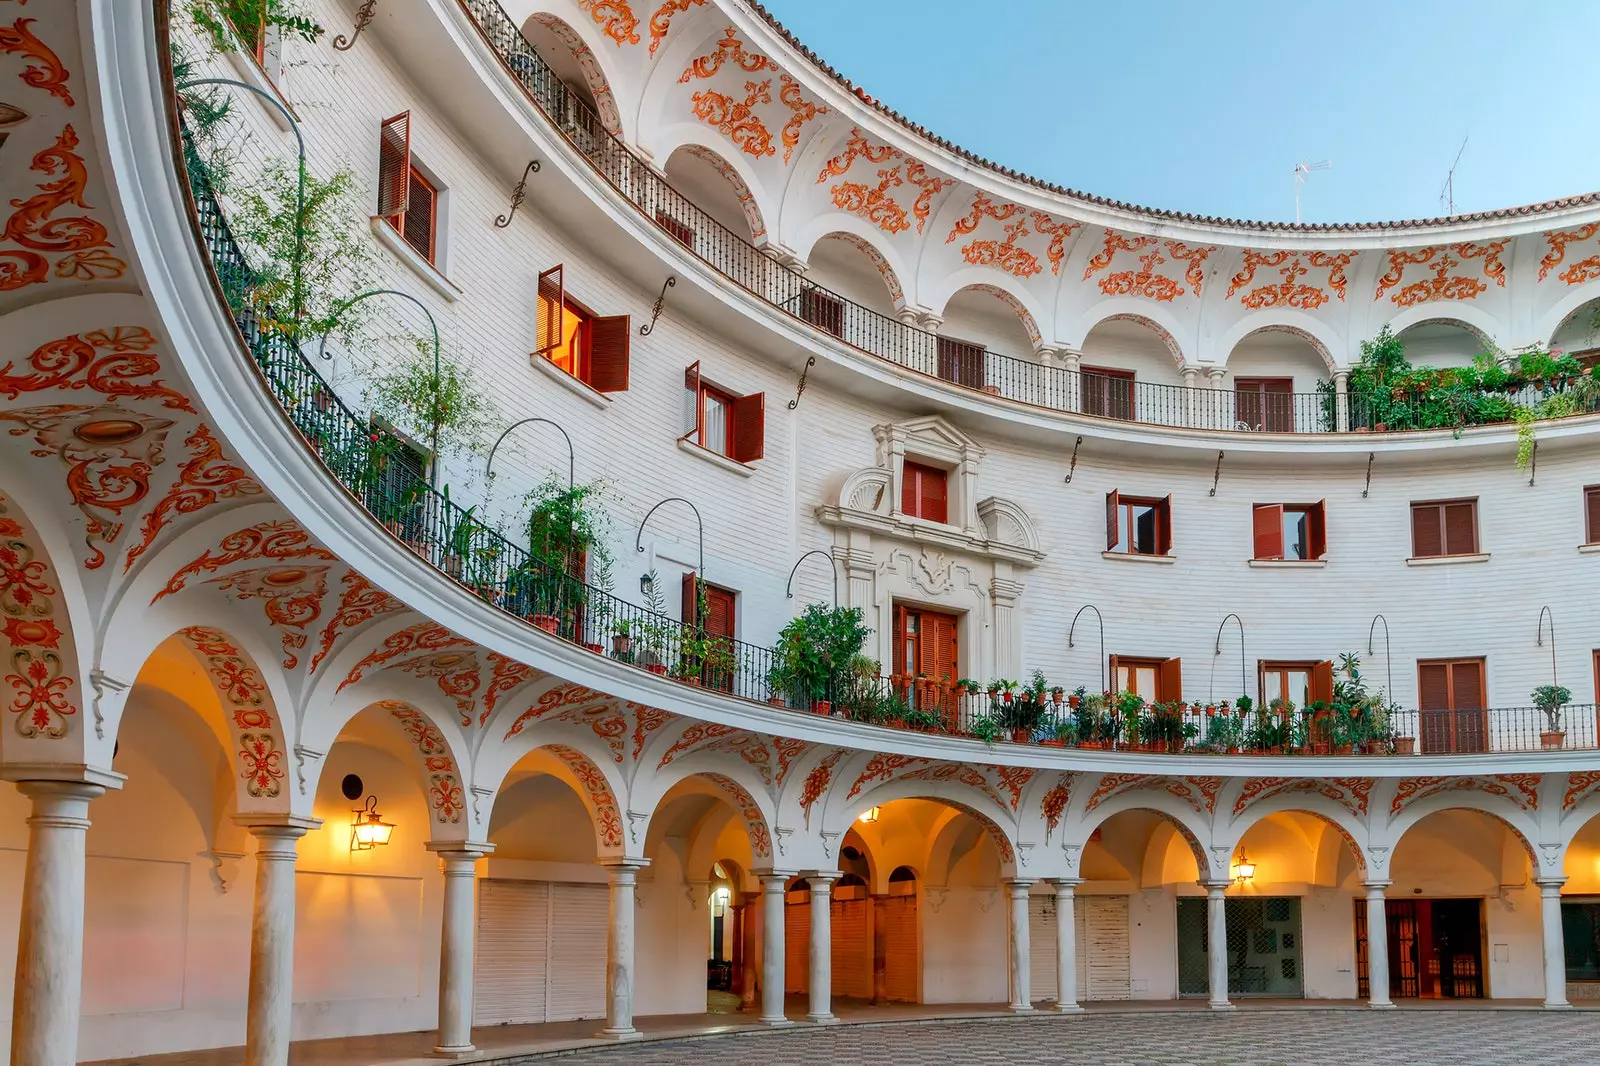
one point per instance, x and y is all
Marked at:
(273, 937)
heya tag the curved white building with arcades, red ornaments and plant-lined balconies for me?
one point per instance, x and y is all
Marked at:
(1302, 524)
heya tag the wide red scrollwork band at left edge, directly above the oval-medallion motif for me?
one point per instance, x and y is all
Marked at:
(110, 363)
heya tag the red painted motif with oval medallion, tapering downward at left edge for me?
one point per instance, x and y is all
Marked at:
(110, 454)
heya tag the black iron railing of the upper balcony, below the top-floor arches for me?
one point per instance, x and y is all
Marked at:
(966, 366)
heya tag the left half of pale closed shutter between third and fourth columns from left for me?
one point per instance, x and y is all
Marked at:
(511, 964)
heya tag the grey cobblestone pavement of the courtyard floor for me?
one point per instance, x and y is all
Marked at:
(1302, 1038)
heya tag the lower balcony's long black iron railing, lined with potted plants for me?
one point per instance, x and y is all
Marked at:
(361, 455)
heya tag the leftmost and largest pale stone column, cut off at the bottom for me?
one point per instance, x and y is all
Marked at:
(50, 939)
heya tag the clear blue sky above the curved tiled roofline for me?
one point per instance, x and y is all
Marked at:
(1209, 106)
